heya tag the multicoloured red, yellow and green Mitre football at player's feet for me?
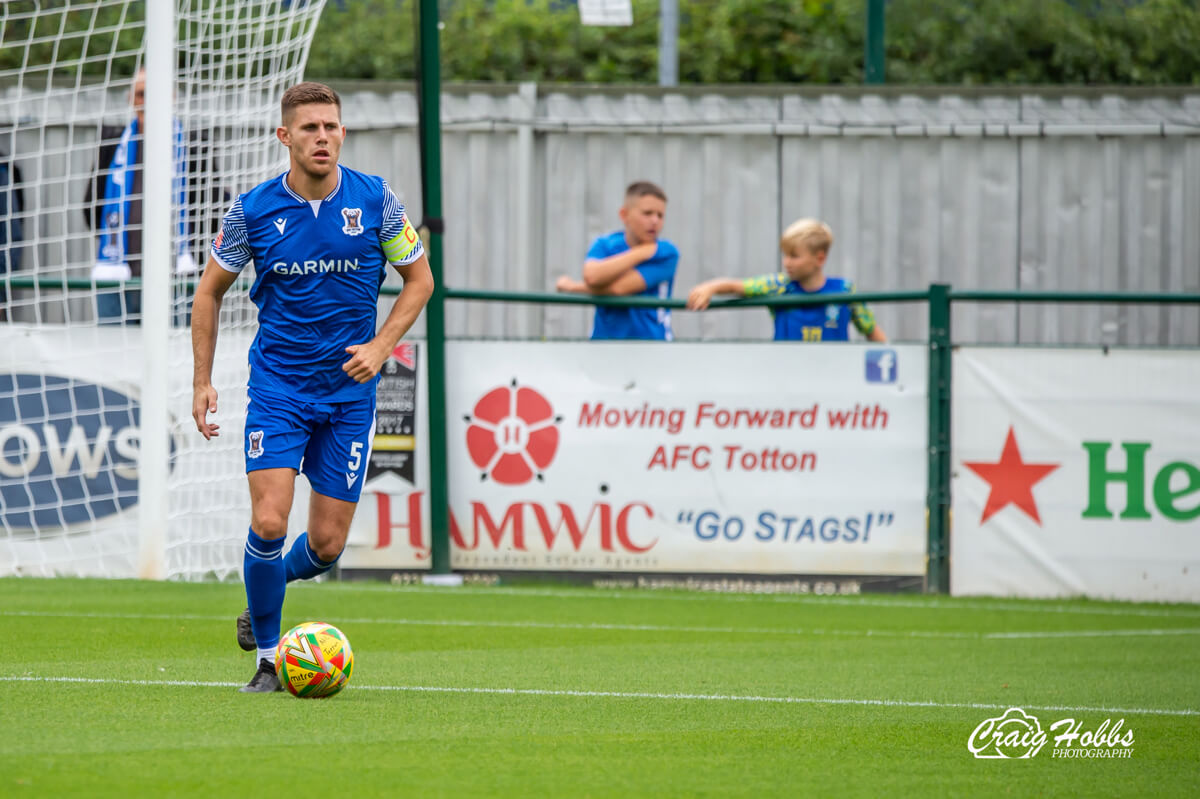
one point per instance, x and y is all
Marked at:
(314, 660)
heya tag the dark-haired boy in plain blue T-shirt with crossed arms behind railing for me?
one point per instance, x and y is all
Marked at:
(632, 262)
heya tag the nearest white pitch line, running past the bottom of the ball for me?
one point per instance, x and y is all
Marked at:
(638, 695)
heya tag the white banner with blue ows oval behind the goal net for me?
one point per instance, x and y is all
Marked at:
(70, 435)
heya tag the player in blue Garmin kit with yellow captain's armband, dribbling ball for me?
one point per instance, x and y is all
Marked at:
(321, 238)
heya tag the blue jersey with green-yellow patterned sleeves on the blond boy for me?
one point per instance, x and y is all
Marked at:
(812, 322)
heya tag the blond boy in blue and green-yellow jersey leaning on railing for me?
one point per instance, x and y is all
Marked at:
(806, 245)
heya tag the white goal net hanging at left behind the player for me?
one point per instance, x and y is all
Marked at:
(73, 333)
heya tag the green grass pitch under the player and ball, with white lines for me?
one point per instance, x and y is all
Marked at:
(129, 689)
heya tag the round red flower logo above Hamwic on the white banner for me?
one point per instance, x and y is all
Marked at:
(513, 435)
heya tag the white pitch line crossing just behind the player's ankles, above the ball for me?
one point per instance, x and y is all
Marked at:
(650, 628)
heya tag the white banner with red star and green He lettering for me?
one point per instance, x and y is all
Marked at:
(1077, 473)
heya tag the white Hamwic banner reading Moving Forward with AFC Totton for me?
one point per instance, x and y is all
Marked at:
(644, 458)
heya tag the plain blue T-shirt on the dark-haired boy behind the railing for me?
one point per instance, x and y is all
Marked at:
(659, 275)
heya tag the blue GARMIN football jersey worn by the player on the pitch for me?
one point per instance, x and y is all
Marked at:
(319, 269)
